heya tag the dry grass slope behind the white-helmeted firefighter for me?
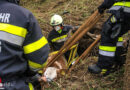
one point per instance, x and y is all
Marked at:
(79, 10)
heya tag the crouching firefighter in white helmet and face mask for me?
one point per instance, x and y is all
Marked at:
(59, 34)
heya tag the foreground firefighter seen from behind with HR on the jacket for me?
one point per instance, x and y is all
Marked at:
(23, 48)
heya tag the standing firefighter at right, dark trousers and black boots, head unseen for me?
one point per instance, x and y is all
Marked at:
(111, 45)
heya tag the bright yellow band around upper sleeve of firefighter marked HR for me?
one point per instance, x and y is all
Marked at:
(35, 45)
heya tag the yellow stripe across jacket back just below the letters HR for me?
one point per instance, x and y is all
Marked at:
(19, 31)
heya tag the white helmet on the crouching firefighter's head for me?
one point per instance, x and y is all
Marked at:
(56, 20)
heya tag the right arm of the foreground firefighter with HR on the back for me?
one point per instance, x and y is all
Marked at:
(36, 48)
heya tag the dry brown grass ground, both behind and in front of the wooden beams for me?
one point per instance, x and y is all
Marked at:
(79, 10)
